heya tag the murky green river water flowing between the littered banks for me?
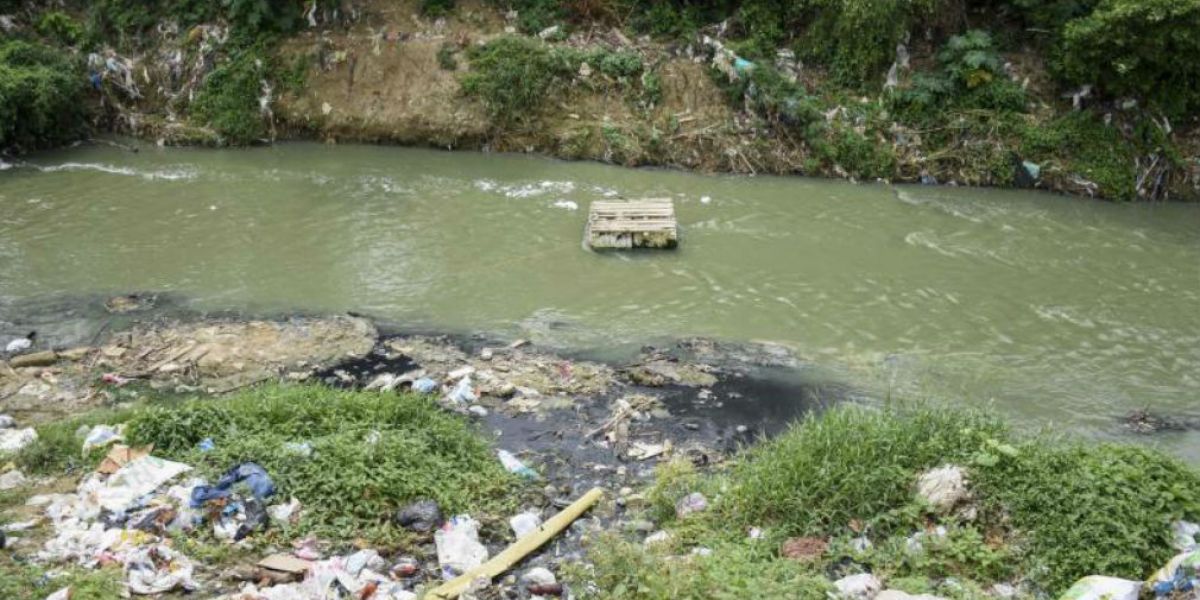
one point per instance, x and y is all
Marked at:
(1057, 310)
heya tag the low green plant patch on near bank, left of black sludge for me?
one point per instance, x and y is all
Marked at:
(371, 453)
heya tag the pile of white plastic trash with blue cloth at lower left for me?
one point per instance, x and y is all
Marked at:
(123, 513)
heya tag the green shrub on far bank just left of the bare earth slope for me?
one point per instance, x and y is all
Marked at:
(229, 99)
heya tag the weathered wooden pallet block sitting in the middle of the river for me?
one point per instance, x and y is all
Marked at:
(649, 224)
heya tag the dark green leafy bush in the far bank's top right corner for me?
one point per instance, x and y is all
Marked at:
(1139, 49)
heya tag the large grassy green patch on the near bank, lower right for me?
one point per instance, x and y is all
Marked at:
(1049, 512)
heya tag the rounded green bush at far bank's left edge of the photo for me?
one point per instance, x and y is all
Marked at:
(41, 95)
